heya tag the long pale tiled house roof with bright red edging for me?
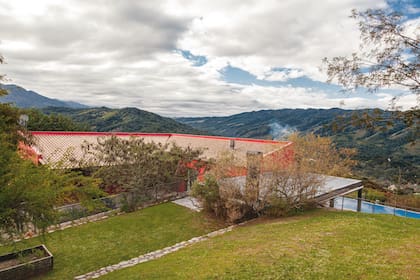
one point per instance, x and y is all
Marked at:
(65, 148)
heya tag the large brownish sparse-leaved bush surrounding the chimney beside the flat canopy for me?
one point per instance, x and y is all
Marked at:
(281, 189)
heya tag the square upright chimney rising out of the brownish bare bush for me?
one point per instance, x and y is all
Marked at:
(254, 161)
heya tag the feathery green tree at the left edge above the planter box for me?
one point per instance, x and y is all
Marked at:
(29, 193)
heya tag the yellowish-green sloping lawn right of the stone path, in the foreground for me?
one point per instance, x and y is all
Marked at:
(318, 245)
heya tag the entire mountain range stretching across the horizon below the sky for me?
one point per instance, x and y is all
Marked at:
(386, 153)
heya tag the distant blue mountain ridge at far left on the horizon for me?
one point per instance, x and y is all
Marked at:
(23, 98)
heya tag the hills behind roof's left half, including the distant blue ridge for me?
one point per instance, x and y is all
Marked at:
(67, 115)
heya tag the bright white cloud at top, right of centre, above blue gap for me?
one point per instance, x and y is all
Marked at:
(257, 38)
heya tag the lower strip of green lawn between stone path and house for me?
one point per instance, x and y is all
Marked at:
(85, 248)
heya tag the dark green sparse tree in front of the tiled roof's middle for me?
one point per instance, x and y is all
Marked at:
(144, 170)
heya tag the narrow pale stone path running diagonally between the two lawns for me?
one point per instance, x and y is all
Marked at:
(151, 256)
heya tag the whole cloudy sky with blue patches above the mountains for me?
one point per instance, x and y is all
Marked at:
(188, 58)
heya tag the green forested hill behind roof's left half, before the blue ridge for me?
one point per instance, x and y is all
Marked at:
(126, 119)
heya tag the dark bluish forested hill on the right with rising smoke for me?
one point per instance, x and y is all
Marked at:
(386, 153)
